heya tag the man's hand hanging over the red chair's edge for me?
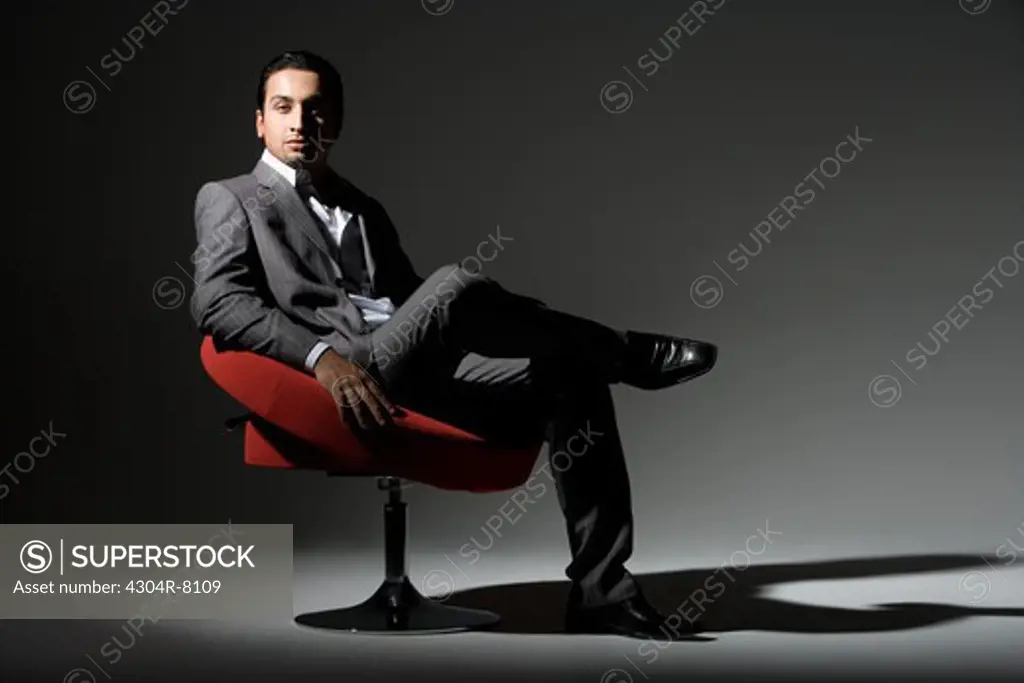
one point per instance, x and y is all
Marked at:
(355, 392)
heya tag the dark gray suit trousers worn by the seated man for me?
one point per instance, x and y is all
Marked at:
(468, 353)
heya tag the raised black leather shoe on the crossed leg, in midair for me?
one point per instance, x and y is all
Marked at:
(656, 362)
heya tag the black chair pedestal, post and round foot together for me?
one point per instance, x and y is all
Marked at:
(397, 608)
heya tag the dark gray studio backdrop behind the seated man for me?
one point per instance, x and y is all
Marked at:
(621, 202)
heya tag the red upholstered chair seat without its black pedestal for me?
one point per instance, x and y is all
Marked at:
(305, 432)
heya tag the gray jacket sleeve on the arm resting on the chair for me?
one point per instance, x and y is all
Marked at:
(232, 302)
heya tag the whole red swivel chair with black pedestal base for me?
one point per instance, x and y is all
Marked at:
(293, 423)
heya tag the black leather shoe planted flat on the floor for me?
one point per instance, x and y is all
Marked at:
(633, 618)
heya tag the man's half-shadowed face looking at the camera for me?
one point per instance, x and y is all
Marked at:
(298, 125)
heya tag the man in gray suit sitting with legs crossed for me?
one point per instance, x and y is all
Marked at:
(296, 264)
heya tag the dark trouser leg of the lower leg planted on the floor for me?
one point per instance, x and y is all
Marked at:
(567, 404)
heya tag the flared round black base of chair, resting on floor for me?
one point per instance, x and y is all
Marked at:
(397, 608)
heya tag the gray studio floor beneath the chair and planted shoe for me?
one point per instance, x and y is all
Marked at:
(950, 617)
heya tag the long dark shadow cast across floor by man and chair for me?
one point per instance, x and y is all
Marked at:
(743, 606)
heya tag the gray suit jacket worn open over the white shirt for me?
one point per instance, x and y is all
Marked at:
(267, 278)
